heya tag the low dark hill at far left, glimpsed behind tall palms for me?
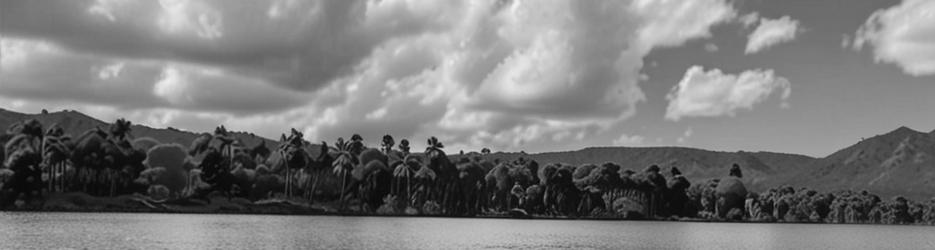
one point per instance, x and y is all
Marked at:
(76, 123)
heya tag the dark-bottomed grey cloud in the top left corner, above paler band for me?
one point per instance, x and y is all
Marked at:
(302, 48)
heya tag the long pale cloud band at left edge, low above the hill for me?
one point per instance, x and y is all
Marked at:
(26, 66)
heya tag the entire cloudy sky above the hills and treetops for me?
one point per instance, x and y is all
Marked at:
(795, 76)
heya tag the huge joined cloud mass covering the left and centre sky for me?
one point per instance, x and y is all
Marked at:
(507, 75)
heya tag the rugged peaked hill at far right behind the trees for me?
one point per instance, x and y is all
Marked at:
(901, 162)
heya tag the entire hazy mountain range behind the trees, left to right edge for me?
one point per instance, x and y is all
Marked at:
(901, 162)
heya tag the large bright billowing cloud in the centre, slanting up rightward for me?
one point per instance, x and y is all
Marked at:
(511, 77)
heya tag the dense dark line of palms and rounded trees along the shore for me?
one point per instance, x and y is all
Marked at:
(393, 180)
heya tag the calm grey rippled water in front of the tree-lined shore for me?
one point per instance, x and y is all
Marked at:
(26, 230)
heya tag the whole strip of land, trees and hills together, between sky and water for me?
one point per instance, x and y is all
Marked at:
(65, 161)
